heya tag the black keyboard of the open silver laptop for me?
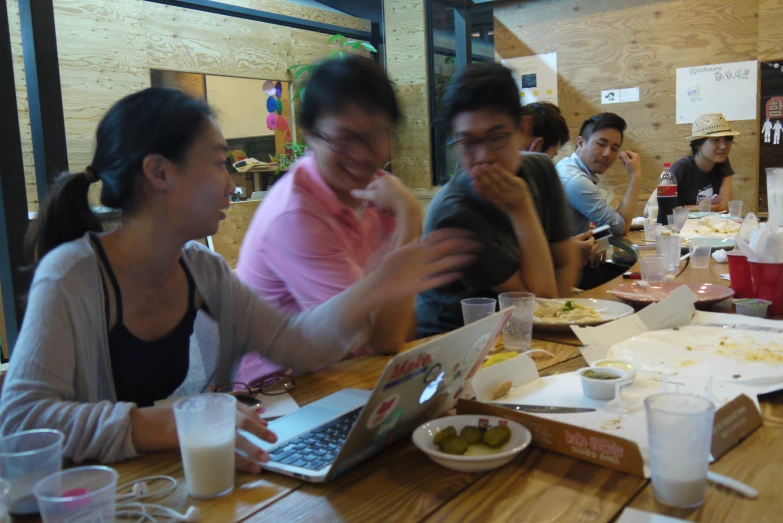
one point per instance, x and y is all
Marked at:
(318, 448)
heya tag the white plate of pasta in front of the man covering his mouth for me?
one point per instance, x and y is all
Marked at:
(559, 315)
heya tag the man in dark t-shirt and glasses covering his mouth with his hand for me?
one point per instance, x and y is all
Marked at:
(512, 201)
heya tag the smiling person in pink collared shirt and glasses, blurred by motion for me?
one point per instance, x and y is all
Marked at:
(323, 224)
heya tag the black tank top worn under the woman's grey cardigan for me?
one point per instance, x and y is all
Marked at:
(147, 371)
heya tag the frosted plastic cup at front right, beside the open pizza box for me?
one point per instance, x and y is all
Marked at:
(679, 427)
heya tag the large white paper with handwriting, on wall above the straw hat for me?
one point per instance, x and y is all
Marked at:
(730, 89)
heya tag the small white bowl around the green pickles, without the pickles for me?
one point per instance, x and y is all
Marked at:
(422, 438)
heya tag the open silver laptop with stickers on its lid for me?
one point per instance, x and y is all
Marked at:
(324, 439)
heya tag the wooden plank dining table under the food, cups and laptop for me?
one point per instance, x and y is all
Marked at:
(403, 484)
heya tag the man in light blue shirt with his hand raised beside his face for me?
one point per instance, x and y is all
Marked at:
(597, 148)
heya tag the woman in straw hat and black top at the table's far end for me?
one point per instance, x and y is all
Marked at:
(708, 166)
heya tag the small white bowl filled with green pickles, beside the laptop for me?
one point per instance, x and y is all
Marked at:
(470, 442)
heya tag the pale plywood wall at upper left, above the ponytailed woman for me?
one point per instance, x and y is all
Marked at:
(106, 50)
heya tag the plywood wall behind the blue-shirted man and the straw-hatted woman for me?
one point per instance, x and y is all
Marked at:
(627, 43)
